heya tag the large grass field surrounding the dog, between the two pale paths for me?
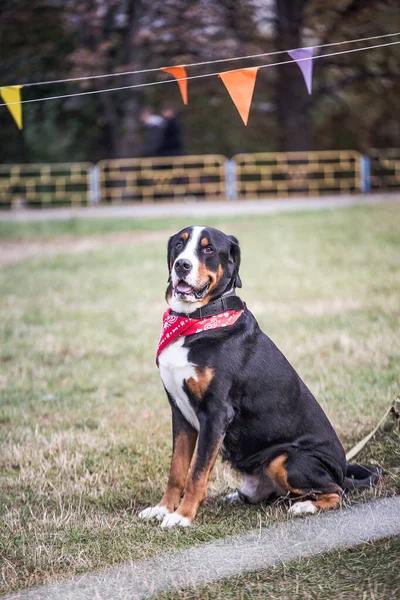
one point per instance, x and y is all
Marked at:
(84, 423)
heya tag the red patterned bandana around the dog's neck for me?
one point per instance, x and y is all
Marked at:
(174, 326)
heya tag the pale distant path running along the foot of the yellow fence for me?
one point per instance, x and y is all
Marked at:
(197, 209)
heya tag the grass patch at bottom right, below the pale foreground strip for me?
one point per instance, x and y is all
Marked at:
(368, 571)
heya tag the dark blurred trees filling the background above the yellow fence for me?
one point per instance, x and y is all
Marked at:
(51, 39)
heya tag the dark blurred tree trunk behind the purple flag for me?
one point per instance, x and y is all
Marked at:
(292, 98)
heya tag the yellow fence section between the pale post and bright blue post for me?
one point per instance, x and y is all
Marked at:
(310, 173)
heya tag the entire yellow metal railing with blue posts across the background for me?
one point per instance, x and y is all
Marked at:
(205, 177)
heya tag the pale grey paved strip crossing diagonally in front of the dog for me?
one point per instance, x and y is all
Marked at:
(208, 562)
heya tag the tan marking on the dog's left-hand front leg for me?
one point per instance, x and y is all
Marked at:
(180, 463)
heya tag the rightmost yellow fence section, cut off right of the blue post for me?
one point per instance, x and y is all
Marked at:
(385, 169)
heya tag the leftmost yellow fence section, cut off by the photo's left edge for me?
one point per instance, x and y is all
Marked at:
(55, 184)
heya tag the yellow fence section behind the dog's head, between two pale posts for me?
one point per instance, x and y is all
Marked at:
(155, 179)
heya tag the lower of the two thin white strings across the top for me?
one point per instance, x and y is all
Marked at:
(143, 85)
